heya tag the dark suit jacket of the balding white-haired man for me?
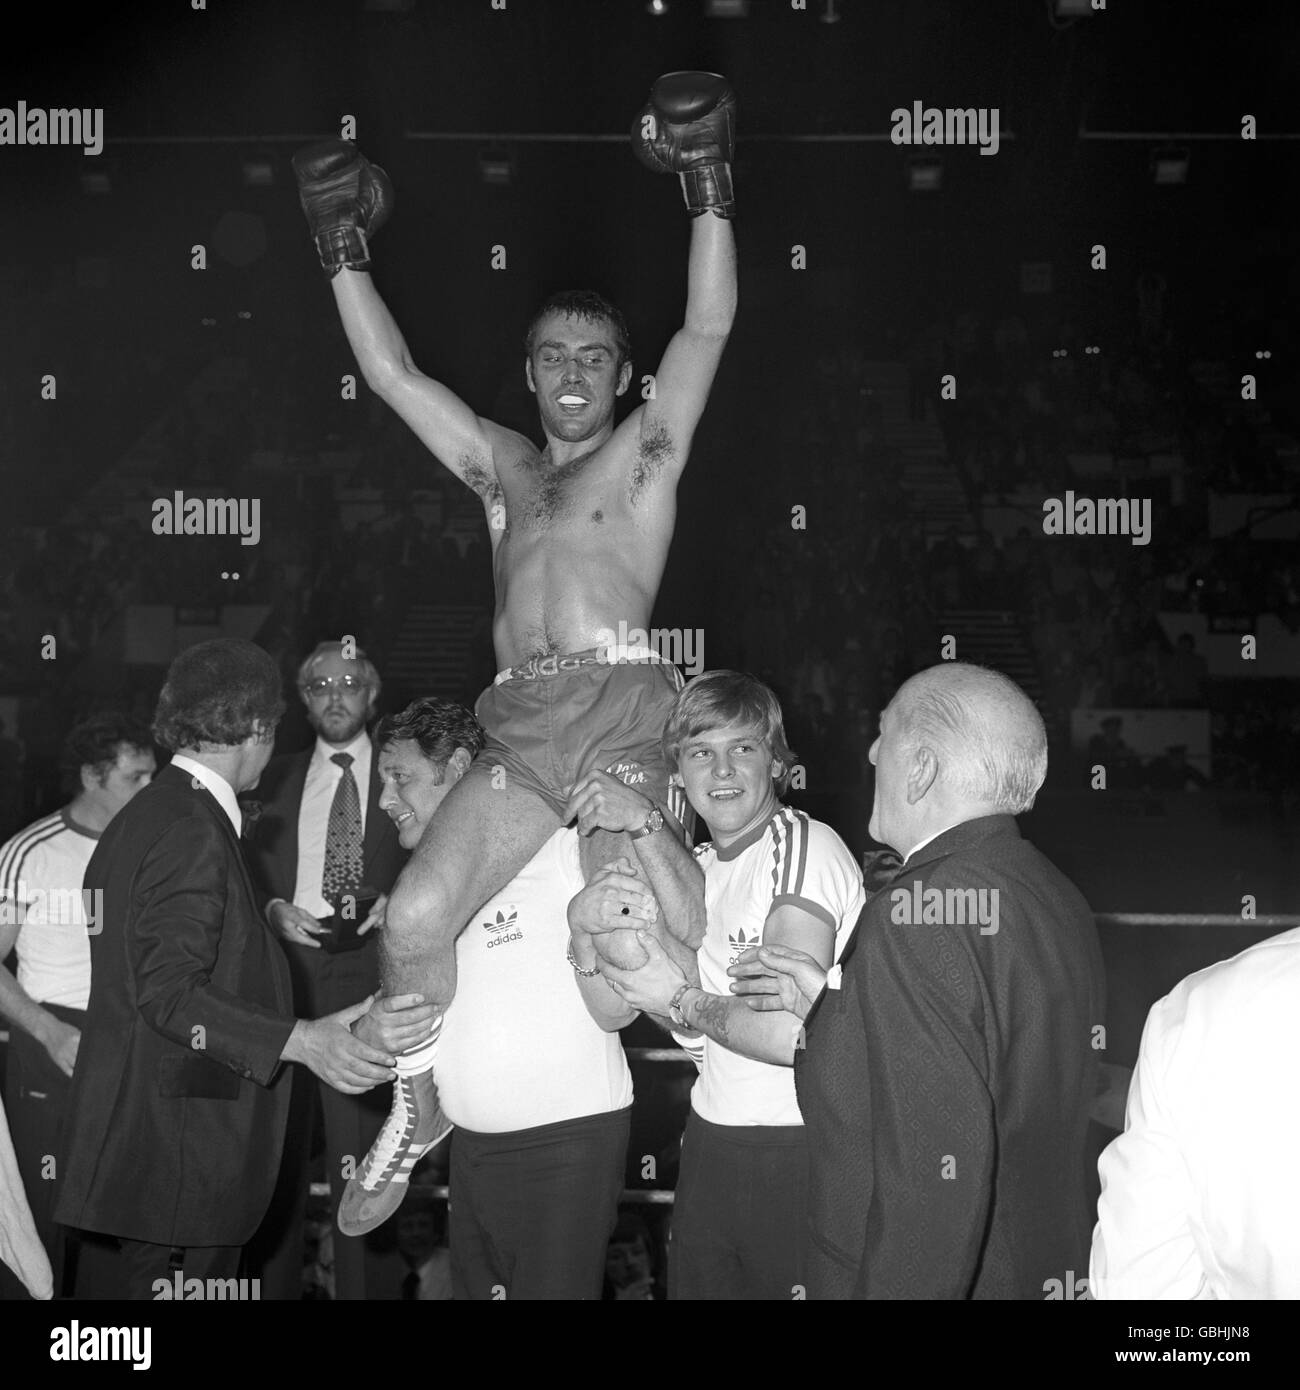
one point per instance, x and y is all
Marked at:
(946, 1085)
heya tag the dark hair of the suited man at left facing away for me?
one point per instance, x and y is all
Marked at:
(215, 694)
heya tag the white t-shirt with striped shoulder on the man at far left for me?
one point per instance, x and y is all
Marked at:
(42, 868)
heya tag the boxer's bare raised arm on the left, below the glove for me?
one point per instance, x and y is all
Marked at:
(441, 420)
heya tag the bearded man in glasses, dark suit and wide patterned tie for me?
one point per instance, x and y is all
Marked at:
(320, 851)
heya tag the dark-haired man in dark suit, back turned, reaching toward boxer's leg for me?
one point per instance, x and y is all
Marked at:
(179, 1103)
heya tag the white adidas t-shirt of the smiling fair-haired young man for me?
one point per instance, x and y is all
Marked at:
(789, 860)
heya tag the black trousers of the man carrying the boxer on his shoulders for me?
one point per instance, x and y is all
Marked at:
(532, 1211)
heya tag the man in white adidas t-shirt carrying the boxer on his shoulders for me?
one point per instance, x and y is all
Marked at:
(529, 1064)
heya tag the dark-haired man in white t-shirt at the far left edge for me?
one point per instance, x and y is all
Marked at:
(47, 922)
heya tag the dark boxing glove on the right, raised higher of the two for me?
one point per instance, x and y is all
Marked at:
(689, 127)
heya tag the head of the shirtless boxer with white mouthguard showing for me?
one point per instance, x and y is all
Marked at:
(576, 377)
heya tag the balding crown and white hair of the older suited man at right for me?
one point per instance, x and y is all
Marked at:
(984, 729)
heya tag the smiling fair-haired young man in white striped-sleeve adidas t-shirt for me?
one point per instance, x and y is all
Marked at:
(777, 876)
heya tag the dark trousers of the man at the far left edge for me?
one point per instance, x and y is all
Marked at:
(35, 1102)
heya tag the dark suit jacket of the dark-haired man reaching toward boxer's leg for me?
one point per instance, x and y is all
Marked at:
(179, 1104)
